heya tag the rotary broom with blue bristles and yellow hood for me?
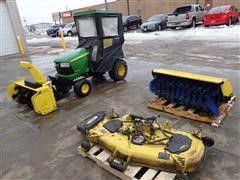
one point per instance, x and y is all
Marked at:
(205, 93)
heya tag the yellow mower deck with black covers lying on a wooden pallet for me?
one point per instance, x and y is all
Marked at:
(143, 141)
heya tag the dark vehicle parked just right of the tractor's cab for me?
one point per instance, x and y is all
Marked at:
(130, 22)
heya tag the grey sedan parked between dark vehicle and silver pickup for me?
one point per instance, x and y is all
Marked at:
(156, 22)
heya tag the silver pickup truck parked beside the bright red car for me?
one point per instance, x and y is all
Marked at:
(186, 16)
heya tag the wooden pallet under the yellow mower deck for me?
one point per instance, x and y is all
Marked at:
(100, 156)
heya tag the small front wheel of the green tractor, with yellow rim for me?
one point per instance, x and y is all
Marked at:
(82, 88)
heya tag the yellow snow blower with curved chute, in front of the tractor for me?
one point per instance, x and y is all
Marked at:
(37, 95)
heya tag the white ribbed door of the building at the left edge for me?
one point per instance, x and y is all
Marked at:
(8, 41)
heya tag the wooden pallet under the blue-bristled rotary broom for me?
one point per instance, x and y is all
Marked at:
(183, 111)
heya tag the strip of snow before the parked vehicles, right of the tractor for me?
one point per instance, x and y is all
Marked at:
(218, 33)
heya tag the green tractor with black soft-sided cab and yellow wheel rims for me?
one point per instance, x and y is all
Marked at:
(100, 35)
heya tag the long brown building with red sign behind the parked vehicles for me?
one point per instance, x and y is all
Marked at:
(147, 8)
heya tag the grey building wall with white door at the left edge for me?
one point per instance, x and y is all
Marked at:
(10, 28)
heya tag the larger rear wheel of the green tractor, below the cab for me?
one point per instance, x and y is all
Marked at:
(119, 70)
